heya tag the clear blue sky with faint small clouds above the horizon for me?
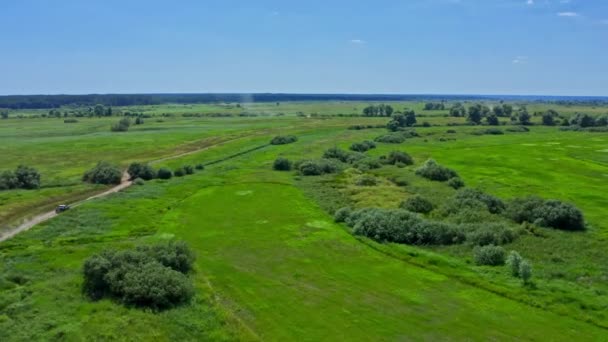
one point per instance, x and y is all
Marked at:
(537, 47)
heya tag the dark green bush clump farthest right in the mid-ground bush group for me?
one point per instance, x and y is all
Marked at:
(547, 213)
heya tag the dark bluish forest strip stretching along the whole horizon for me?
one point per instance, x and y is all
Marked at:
(55, 101)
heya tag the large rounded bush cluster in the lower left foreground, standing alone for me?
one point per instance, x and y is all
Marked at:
(147, 276)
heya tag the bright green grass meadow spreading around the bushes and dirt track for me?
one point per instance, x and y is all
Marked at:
(272, 264)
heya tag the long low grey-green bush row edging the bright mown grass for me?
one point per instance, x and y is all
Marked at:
(403, 226)
